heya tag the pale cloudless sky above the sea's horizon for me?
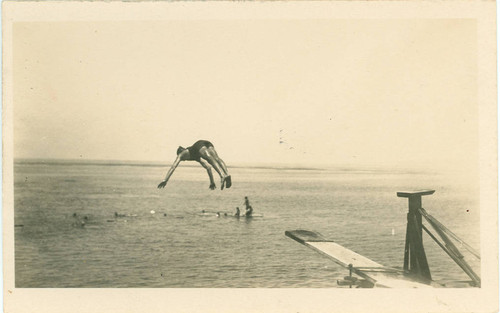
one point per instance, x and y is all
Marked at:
(341, 91)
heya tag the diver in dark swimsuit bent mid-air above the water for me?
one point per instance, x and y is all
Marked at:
(203, 152)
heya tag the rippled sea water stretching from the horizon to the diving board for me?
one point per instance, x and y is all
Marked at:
(177, 247)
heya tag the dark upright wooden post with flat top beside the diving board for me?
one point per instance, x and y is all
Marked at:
(415, 260)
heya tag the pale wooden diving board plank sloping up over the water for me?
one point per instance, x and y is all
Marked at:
(361, 265)
